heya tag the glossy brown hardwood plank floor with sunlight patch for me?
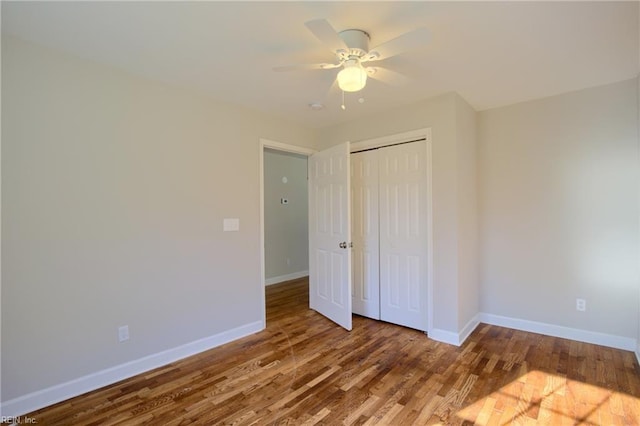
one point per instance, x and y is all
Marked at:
(304, 370)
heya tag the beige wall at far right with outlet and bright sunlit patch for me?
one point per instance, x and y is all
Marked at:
(559, 210)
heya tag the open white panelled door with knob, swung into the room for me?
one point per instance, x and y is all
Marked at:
(329, 234)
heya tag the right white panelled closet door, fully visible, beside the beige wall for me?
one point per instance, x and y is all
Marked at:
(403, 235)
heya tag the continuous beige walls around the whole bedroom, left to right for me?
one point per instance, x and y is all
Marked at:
(115, 187)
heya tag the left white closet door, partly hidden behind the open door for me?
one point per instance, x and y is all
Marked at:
(364, 233)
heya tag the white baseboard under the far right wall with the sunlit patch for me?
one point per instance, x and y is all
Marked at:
(610, 340)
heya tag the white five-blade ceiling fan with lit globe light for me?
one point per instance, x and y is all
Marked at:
(351, 50)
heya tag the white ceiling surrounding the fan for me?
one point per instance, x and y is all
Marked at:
(491, 53)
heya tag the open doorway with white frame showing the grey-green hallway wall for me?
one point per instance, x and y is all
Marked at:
(284, 213)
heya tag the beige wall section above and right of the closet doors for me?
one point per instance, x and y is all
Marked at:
(449, 118)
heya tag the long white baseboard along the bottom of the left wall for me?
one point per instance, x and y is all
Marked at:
(54, 394)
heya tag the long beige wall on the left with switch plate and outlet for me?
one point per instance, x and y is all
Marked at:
(114, 190)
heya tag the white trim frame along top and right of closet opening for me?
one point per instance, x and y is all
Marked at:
(424, 133)
